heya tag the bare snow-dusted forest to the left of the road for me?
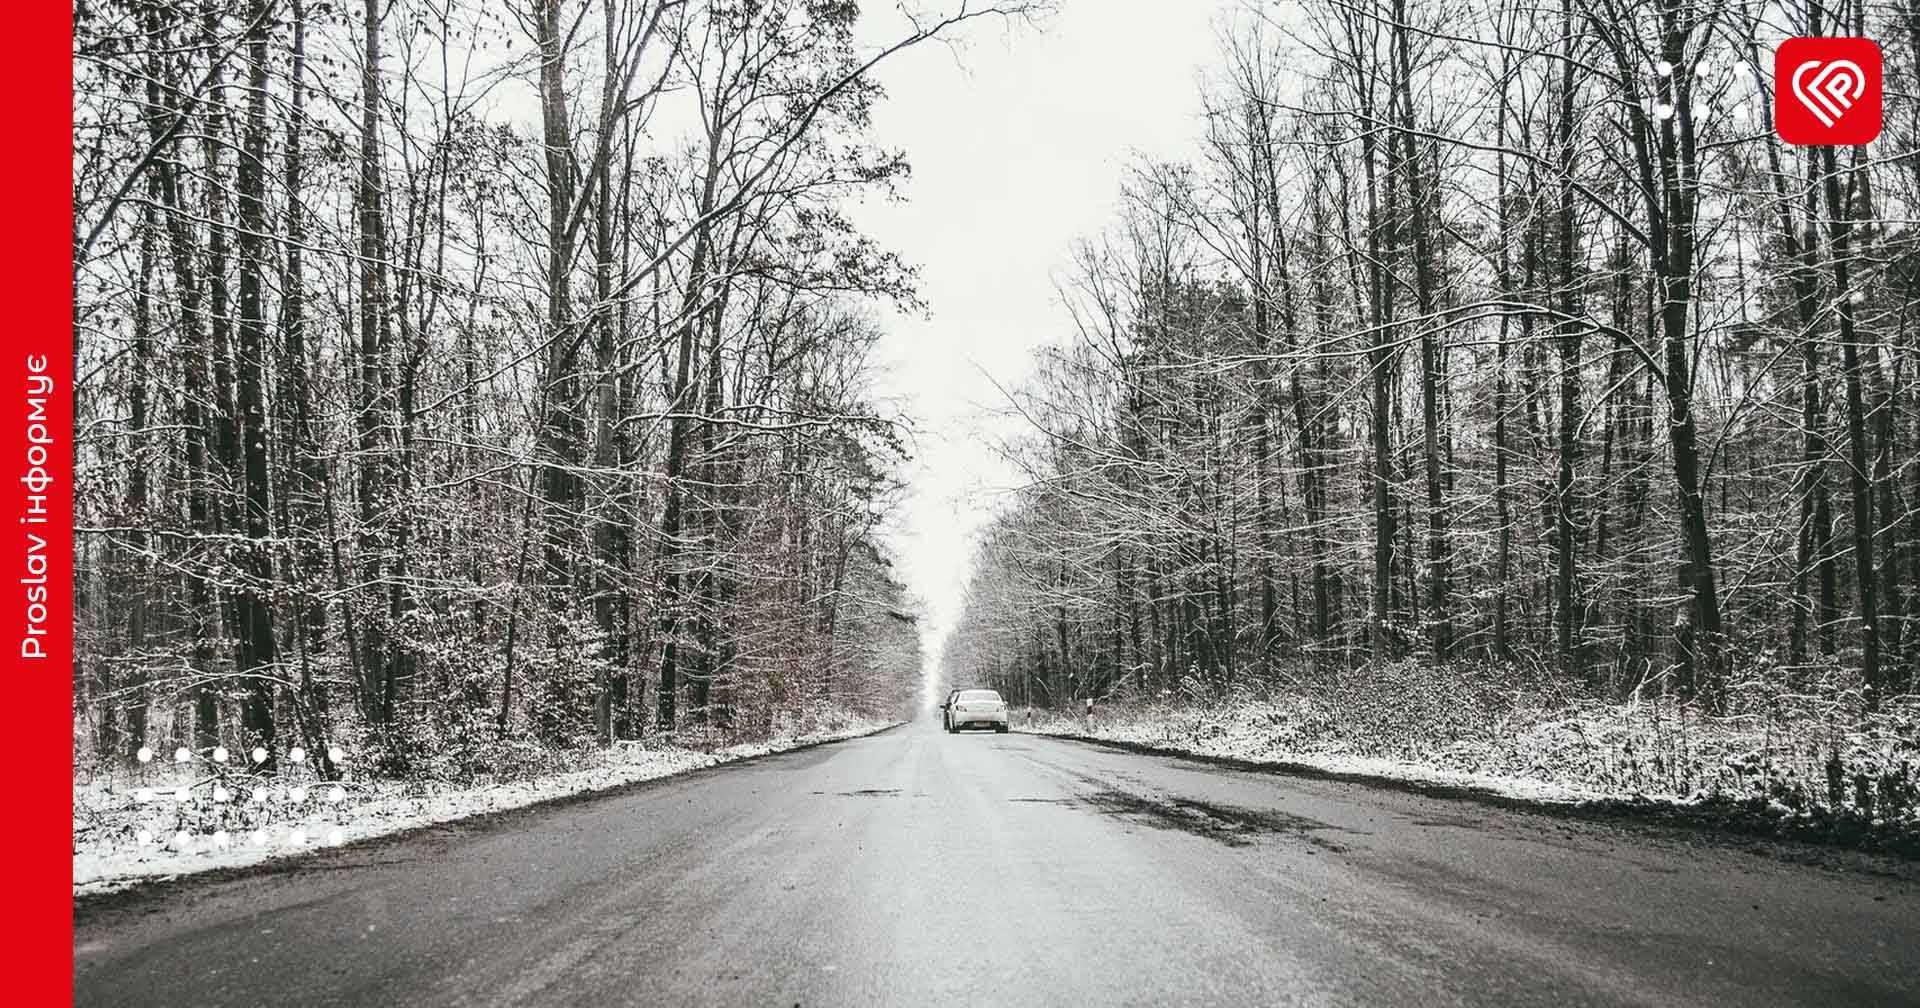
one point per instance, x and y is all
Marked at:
(468, 379)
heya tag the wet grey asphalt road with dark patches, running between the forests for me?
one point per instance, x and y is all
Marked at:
(923, 869)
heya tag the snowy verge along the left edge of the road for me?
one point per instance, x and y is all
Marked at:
(126, 836)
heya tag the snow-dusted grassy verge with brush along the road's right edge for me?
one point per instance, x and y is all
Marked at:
(1790, 765)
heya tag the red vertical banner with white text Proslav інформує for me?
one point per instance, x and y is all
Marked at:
(37, 370)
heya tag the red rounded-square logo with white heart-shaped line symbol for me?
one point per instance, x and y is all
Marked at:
(1827, 91)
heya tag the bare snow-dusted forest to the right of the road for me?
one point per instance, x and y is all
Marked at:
(1485, 345)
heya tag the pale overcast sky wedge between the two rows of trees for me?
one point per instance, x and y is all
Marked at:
(1019, 143)
